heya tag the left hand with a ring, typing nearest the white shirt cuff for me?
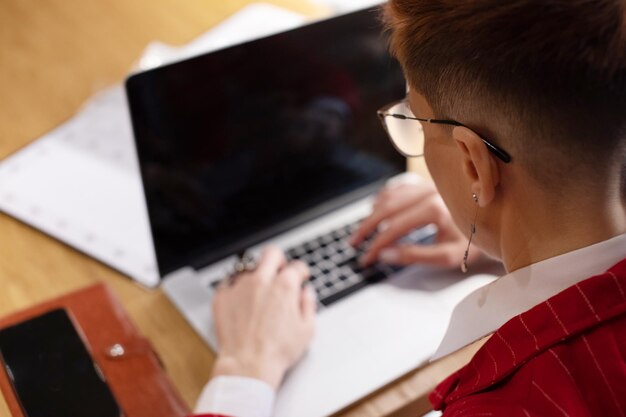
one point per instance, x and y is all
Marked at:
(265, 320)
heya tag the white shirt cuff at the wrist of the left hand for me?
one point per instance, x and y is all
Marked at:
(236, 396)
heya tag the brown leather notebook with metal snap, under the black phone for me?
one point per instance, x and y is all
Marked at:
(135, 377)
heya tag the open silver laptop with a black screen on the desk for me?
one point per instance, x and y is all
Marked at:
(277, 141)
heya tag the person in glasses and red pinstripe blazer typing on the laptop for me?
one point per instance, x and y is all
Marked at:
(518, 109)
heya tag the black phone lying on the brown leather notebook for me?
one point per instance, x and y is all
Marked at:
(51, 370)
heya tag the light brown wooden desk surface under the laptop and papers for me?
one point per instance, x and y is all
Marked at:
(53, 56)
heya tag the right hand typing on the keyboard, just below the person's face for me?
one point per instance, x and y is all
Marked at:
(398, 210)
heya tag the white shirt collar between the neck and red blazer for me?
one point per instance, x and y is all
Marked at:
(488, 308)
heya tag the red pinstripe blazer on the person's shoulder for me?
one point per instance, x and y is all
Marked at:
(564, 357)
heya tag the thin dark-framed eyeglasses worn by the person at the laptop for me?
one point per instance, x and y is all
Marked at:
(408, 138)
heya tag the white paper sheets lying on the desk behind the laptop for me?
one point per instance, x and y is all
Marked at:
(80, 182)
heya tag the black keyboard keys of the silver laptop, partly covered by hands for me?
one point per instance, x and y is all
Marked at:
(334, 263)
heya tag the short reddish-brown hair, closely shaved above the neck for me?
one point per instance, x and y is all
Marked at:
(553, 71)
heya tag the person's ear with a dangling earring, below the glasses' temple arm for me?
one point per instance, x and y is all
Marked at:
(479, 165)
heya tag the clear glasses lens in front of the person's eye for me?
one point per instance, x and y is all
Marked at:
(406, 134)
